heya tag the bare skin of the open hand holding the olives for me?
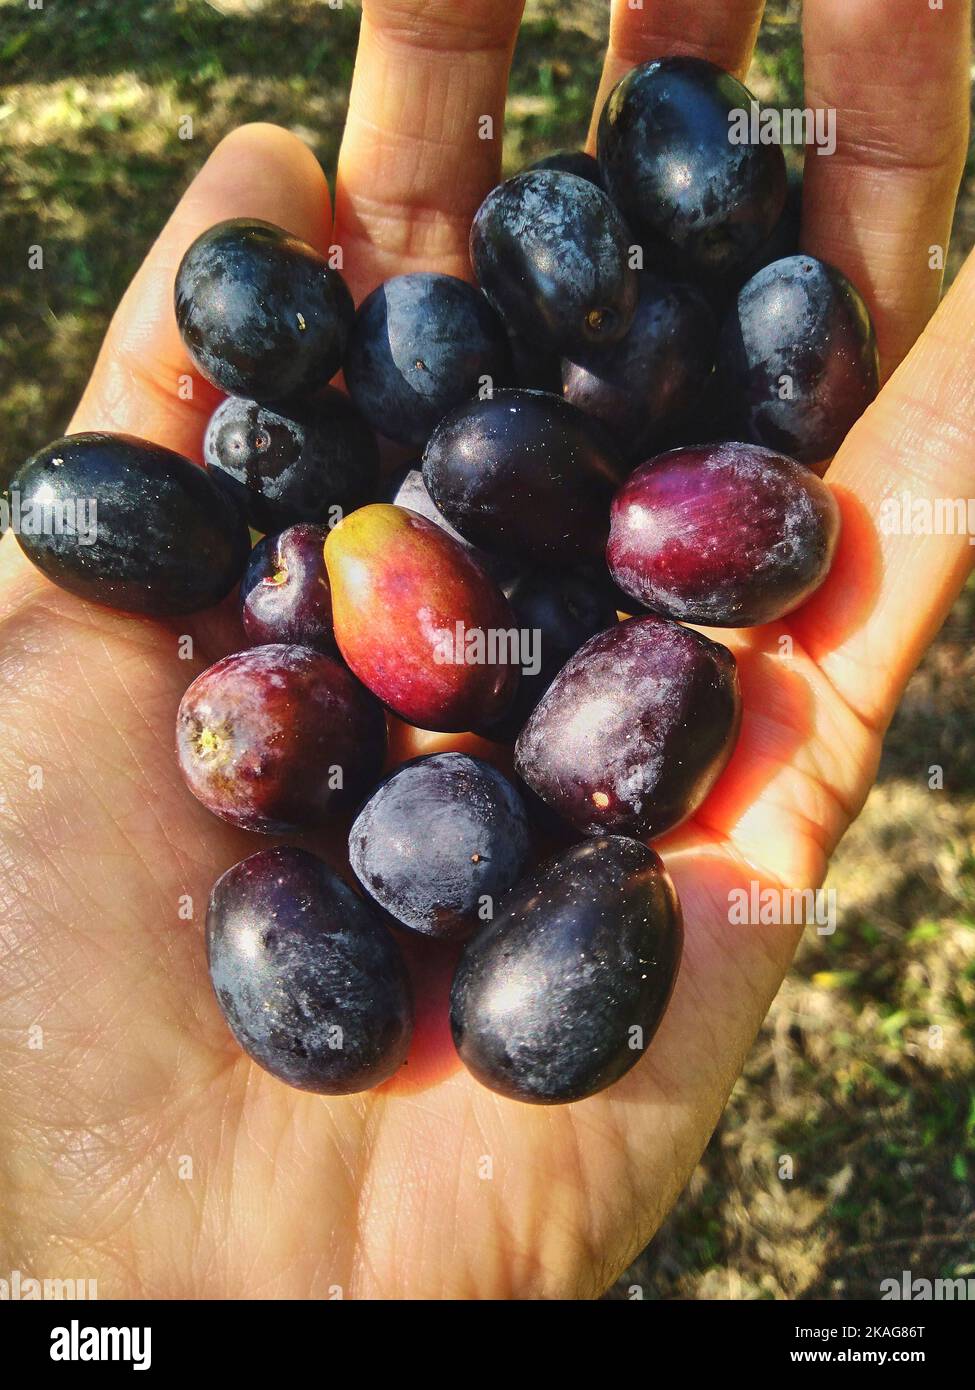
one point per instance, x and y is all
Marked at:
(390, 1195)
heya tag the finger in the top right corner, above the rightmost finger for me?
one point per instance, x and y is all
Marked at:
(898, 77)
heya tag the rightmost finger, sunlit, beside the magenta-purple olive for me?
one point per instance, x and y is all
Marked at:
(906, 482)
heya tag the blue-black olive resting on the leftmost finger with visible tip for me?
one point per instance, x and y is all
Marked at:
(261, 312)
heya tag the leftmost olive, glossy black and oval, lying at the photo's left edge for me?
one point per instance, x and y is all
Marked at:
(166, 540)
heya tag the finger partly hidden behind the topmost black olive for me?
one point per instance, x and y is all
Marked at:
(723, 31)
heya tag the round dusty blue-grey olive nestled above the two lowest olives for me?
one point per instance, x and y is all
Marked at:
(440, 843)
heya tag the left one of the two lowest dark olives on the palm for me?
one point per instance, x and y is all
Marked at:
(308, 978)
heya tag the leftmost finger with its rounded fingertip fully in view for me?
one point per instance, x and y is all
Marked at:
(140, 379)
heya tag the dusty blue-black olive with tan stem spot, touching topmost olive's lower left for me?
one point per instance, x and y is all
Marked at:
(553, 255)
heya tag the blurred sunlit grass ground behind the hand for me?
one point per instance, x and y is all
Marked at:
(864, 1075)
